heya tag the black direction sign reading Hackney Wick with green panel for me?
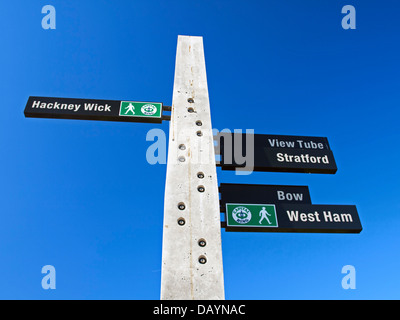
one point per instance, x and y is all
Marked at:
(91, 109)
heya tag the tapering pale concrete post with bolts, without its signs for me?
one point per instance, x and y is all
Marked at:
(191, 254)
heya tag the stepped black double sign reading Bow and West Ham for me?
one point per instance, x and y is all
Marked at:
(272, 208)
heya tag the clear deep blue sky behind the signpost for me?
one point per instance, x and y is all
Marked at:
(80, 195)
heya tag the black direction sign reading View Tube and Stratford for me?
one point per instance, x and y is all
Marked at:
(276, 153)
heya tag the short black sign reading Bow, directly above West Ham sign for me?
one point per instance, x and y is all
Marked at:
(256, 193)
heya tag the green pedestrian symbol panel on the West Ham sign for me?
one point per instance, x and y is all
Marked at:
(251, 215)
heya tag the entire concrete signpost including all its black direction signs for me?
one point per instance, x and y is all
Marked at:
(191, 249)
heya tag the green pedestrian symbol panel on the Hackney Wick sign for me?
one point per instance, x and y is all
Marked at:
(140, 109)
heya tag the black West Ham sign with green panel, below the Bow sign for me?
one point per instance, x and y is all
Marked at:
(285, 217)
